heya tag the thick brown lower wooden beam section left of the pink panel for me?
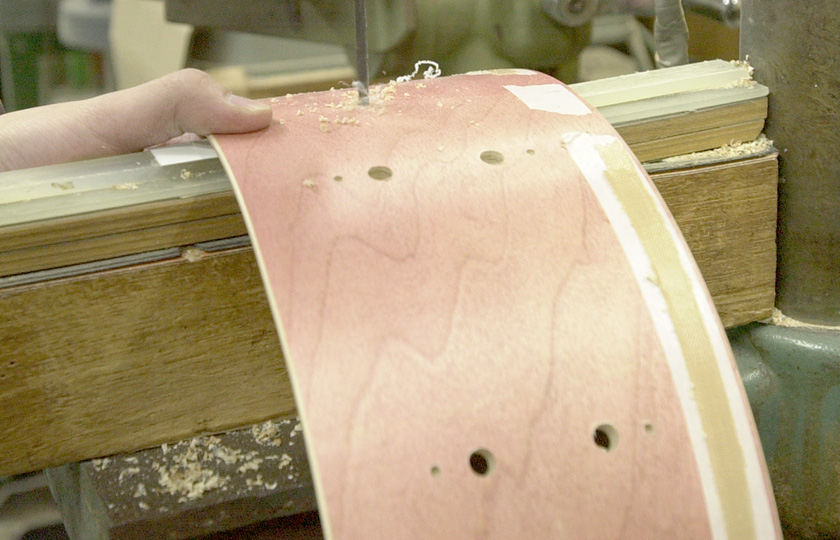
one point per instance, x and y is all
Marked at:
(127, 359)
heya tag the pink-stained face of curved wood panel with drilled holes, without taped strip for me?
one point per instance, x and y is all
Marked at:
(476, 299)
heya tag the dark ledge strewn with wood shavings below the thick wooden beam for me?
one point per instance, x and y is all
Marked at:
(192, 487)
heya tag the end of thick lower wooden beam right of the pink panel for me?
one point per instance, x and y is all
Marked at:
(727, 214)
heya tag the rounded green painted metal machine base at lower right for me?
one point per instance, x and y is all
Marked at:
(792, 379)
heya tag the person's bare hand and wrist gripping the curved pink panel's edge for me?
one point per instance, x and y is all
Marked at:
(185, 102)
